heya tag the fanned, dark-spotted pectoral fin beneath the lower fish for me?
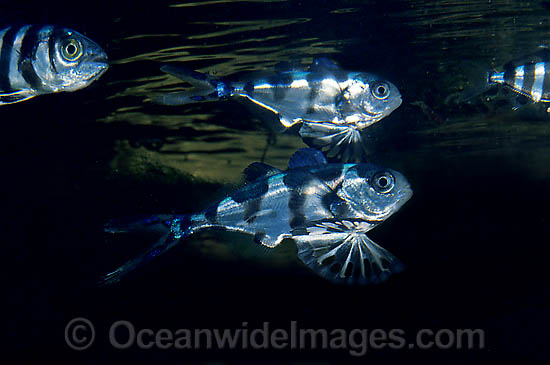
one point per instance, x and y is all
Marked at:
(345, 257)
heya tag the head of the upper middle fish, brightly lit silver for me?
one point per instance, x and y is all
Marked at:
(374, 97)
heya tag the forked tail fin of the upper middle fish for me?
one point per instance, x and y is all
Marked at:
(204, 87)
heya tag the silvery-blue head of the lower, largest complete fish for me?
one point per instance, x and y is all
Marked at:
(373, 193)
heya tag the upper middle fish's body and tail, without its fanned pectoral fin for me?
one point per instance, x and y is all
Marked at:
(323, 93)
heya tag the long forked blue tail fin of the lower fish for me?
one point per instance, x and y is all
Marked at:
(172, 228)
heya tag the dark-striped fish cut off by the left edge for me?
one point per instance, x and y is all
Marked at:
(37, 60)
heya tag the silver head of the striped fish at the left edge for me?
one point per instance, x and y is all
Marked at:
(73, 60)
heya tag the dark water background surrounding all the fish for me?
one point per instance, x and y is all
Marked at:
(474, 237)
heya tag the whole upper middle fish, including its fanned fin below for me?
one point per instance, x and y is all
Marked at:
(333, 105)
